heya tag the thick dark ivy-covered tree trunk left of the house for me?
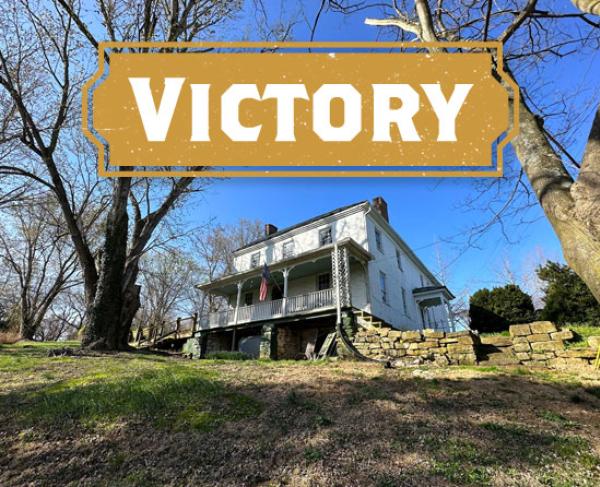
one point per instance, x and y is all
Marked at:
(104, 327)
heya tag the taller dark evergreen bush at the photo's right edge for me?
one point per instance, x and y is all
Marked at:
(567, 298)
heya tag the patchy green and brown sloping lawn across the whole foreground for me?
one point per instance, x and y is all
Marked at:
(137, 419)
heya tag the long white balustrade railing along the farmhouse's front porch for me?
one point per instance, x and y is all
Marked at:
(271, 309)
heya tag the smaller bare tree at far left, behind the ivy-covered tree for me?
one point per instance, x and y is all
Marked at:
(38, 261)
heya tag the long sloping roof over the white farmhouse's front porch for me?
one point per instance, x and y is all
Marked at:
(229, 279)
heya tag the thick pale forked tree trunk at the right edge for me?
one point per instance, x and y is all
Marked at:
(559, 198)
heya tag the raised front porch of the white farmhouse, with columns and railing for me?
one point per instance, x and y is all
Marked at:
(308, 283)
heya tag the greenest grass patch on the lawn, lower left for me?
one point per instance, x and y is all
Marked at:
(174, 397)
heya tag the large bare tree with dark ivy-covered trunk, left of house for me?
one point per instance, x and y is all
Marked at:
(47, 51)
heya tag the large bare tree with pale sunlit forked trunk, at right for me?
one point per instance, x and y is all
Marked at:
(567, 190)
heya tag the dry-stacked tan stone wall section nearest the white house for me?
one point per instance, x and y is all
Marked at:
(416, 347)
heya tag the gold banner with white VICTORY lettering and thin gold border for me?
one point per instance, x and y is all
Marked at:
(306, 114)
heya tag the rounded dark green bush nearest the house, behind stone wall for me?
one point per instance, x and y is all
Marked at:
(496, 309)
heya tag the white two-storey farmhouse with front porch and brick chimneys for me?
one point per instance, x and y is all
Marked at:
(347, 263)
